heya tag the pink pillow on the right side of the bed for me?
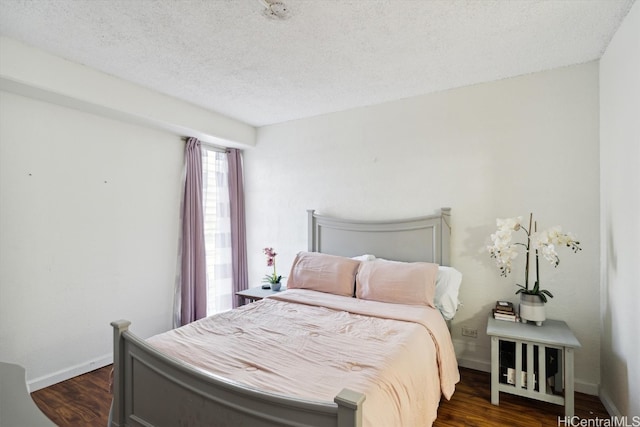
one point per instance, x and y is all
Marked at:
(397, 282)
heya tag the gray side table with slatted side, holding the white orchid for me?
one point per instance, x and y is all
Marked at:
(552, 334)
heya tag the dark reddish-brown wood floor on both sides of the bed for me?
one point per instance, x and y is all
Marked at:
(85, 401)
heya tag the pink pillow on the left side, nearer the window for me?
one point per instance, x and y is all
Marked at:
(324, 273)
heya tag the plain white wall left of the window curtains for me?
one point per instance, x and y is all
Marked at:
(89, 233)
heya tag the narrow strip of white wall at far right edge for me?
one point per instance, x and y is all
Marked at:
(620, 213)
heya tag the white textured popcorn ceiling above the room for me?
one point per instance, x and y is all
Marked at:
(328, 55)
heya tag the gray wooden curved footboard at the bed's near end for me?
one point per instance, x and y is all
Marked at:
(153, 389)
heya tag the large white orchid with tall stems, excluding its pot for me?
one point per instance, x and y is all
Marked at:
(504, 250)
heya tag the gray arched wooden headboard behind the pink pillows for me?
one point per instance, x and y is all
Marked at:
(415, 239)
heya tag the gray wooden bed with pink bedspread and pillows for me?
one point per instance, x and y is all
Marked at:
(195, 376)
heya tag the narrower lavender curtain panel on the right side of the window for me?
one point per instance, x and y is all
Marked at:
(238, 225)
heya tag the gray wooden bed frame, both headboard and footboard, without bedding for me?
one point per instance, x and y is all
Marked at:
(154, 389)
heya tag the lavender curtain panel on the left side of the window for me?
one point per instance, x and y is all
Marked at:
(193, 280)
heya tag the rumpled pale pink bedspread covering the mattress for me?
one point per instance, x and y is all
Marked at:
(311, 345)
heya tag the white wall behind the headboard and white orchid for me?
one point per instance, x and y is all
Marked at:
(491, 150)
